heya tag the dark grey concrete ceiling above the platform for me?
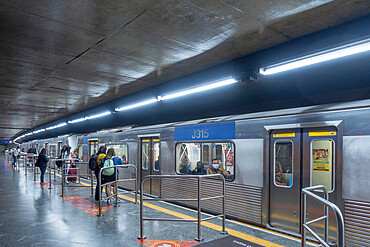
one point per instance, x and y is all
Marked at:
(60, 57)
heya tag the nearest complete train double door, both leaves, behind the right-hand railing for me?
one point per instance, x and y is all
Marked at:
(300, 158)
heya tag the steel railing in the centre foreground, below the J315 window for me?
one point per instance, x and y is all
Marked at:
(198, 199)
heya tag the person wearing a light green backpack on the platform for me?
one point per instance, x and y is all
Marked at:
(109, 175)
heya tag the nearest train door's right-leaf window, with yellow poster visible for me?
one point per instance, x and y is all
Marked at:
(322, 163)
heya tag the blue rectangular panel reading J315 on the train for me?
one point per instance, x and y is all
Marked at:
(214, 131)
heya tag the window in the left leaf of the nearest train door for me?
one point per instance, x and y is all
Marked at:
(283, 163)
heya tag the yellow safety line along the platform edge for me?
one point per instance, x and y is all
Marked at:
(207, 224)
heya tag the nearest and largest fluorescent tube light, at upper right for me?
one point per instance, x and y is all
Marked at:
(342, 51)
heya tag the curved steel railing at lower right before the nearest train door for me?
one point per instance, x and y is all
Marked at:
(327, 204)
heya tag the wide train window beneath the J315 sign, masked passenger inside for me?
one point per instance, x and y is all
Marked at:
(196, 158)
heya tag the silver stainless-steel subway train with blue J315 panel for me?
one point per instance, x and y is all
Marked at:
(268, 158)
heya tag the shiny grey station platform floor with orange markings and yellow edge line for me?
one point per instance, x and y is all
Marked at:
(34, 215)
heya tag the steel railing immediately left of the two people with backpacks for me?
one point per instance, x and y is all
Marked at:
(77, 167)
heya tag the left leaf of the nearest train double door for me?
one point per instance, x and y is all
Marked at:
(285, 179)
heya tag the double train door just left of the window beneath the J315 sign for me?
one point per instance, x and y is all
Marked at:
(150, 163)
